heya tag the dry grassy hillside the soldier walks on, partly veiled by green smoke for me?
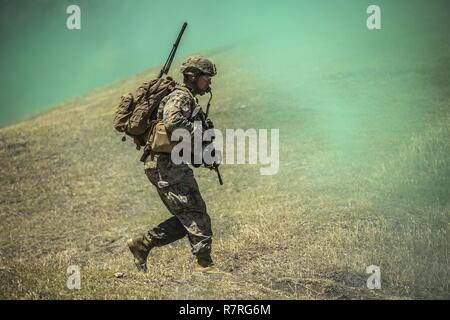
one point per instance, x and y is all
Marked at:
(72, 193)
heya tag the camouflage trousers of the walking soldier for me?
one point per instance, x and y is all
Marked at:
(179, 192)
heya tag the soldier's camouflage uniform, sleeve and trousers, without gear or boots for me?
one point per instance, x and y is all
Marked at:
(176, 184)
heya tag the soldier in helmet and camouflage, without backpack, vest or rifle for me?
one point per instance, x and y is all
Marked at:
(175, 183)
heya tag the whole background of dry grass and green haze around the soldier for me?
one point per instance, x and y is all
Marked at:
(364, 174)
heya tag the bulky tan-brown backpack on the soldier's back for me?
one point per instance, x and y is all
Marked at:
(135, 116)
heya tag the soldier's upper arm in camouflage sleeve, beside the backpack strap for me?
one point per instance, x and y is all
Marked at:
(177, 112)
